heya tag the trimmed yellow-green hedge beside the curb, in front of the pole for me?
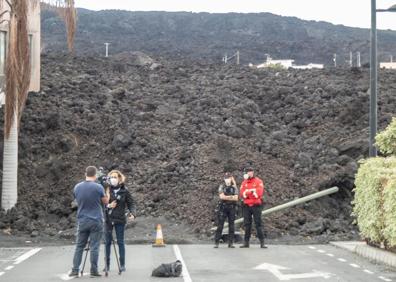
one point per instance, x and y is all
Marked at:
(368, 206)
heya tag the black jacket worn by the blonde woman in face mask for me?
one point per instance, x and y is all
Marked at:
(125, 203)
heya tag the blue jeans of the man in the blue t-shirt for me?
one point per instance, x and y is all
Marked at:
(92, 229)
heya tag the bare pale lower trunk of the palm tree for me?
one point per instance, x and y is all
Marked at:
(10, 168)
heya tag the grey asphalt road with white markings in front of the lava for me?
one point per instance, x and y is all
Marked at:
(314, 263)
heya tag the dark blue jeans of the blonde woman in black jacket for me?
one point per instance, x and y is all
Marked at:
(120, 230)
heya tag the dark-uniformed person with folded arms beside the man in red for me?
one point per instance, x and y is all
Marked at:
(228, 193)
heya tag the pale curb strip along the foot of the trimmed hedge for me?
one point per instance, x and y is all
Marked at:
(371, 253)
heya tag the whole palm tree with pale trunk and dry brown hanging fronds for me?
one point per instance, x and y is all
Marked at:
(17, 81)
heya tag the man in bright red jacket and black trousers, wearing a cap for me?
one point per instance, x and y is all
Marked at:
(251, 192)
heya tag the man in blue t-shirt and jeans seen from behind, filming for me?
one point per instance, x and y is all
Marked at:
(90, 198)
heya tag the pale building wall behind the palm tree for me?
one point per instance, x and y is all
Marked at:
(35, 34)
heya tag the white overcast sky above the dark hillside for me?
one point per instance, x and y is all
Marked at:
(354, 13)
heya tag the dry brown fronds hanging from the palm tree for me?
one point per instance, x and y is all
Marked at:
(18, 70)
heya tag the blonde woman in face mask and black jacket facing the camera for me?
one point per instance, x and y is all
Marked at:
(121, 200)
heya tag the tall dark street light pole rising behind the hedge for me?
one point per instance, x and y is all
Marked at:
(373, 81)
